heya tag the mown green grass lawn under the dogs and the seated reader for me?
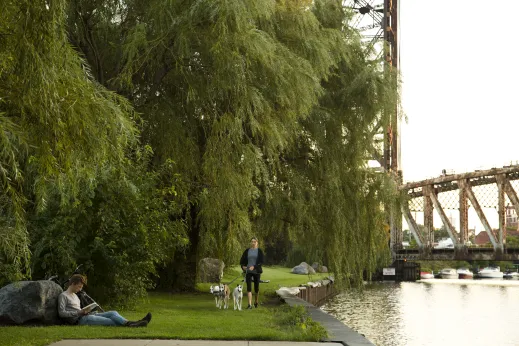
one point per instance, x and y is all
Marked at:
(192, 316)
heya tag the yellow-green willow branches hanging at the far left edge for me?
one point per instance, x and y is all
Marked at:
(57, 124)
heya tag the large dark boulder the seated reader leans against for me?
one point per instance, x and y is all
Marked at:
(30, 302)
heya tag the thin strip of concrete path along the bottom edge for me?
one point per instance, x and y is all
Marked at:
(132, 342)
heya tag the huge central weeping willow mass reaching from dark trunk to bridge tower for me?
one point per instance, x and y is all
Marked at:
(266, 108)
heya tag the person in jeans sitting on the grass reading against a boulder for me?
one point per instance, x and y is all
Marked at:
(69, 309)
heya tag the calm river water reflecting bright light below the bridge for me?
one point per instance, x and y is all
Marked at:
(482, 312)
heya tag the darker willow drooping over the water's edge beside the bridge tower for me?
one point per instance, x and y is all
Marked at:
(325, 198)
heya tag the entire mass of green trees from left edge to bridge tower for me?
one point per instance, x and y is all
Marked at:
(186, 127)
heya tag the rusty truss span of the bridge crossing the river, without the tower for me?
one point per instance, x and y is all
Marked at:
(487, 192)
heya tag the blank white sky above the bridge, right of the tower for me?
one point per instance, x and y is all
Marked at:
(460, 73)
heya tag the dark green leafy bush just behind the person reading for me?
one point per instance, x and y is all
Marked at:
(120, 229)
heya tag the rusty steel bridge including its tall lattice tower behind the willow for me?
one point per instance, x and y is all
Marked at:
(378, 23)
